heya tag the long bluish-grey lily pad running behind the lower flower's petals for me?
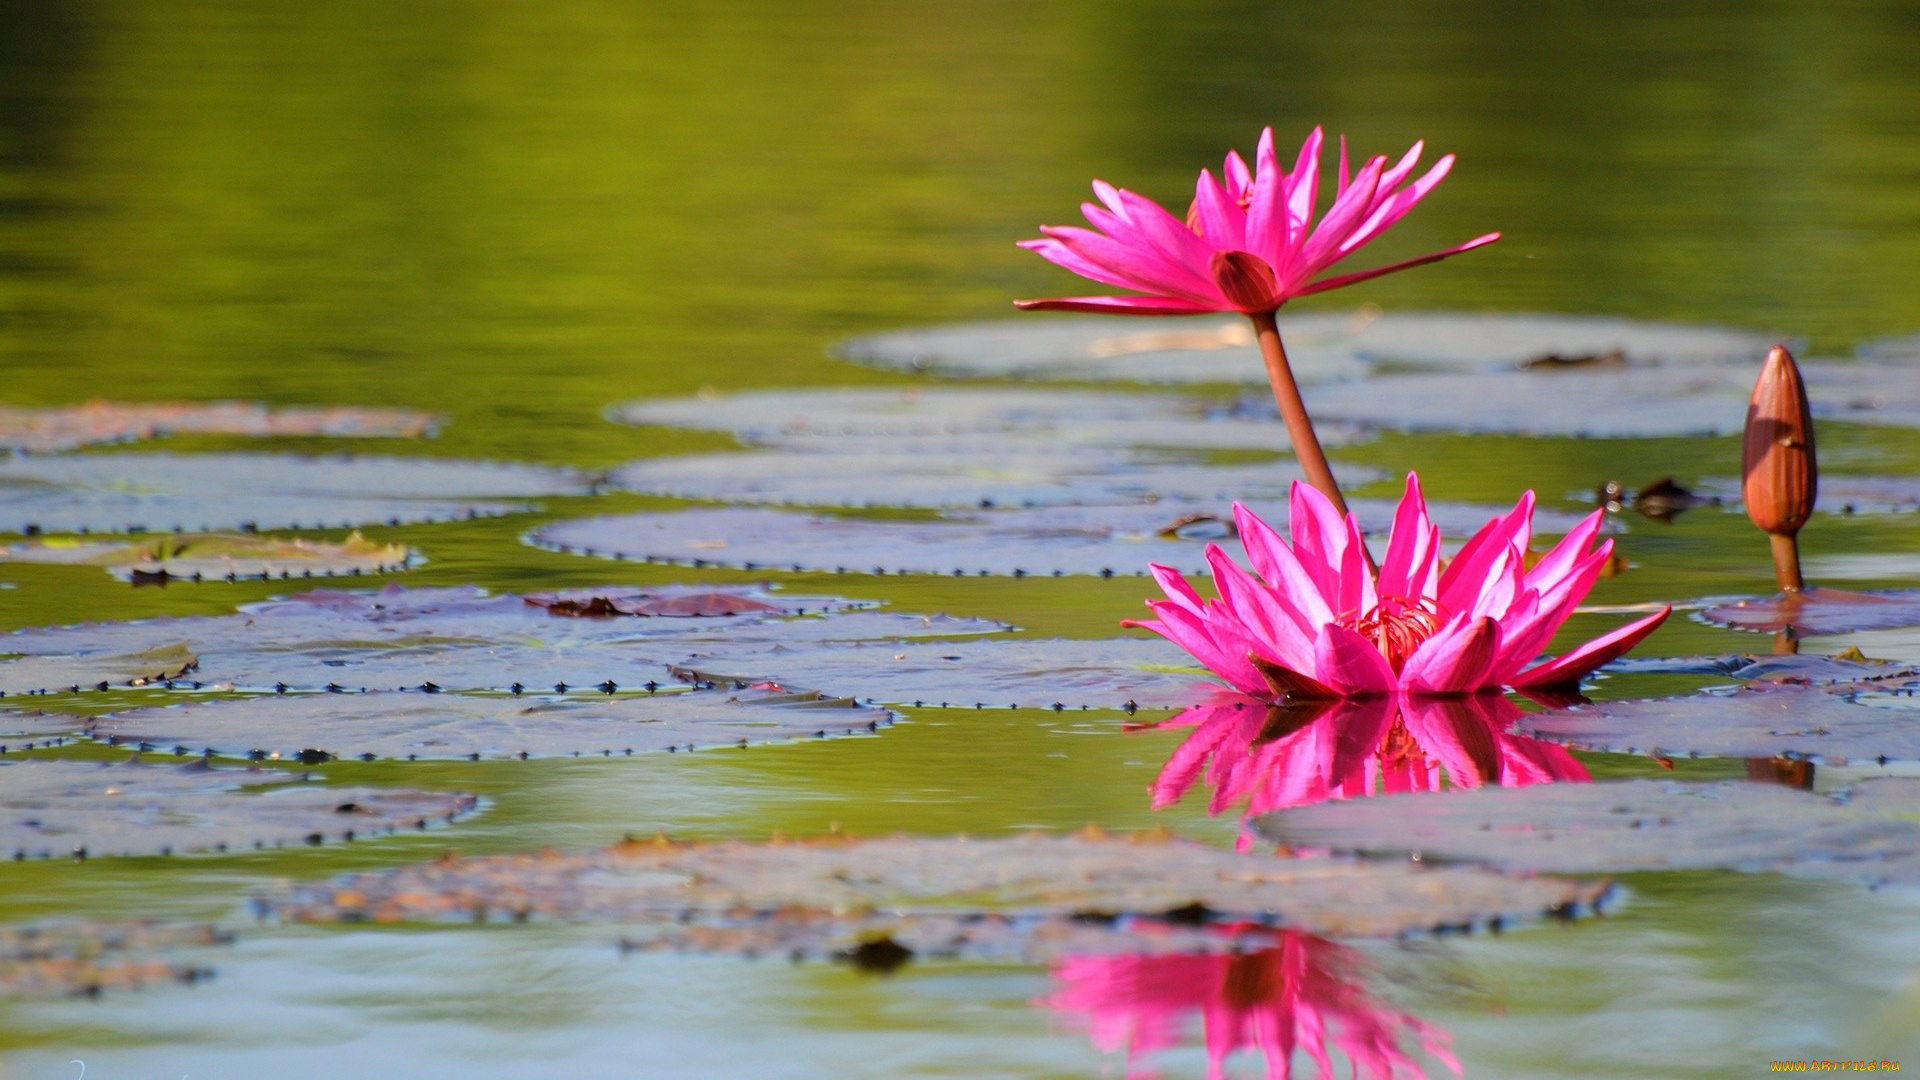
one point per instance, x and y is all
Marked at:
(1107, 541)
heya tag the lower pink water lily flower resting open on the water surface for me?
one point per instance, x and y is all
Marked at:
(1316, 620)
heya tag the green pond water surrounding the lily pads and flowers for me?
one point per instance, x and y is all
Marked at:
(517, 216)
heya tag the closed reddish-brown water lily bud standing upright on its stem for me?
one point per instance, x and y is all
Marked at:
(1779, 474)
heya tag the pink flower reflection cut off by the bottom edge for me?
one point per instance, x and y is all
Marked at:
(1299, 996)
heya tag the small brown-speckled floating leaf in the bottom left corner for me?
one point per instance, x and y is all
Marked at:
(84, 960)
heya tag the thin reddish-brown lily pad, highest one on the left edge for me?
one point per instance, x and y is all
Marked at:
(64, 428)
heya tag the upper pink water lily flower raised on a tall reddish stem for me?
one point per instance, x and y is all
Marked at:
(1249, 245)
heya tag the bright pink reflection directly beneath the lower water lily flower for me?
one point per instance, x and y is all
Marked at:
(1293, 754)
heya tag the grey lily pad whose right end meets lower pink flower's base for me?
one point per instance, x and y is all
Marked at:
(1116, 674)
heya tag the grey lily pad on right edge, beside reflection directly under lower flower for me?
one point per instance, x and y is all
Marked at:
(1871, 720)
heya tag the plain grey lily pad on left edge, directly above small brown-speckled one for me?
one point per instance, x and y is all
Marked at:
(85, 810)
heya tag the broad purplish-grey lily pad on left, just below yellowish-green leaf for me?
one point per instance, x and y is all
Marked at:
(456, 639)
